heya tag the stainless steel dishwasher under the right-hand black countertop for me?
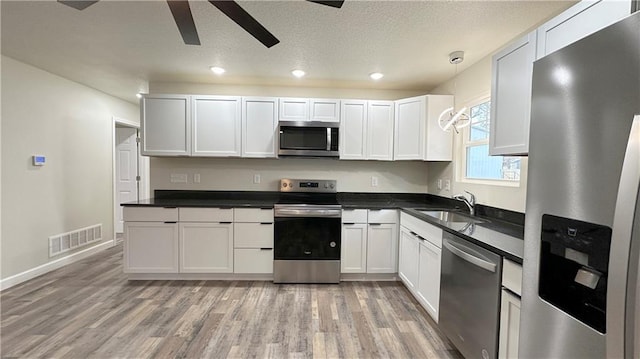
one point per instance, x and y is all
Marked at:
(470, 297)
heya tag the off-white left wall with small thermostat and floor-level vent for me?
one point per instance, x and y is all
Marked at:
(71, 125)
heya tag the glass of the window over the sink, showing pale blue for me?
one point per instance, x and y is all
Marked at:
(478, 164)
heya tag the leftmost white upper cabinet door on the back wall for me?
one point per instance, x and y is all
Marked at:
(166, 125)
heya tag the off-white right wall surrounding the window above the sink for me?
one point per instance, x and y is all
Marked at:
(474, 83)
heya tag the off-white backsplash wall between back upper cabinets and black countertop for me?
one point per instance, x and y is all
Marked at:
(237, 174)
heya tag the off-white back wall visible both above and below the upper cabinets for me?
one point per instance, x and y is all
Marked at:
(237, 174)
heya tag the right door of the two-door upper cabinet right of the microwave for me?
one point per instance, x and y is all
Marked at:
(379, 131)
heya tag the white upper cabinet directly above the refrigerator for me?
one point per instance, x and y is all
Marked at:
(581, 20)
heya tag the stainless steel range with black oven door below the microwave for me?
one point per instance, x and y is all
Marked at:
(307, 232)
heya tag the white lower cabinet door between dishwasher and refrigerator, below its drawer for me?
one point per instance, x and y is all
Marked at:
(509, 326)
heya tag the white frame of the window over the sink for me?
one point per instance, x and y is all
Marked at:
(464, 143)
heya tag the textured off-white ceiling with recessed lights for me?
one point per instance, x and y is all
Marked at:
(120, 46)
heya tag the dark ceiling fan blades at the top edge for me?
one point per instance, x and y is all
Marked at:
(182, 15)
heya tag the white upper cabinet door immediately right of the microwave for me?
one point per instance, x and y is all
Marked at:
(353, 130)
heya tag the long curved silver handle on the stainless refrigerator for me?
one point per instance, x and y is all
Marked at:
(623, 271)
